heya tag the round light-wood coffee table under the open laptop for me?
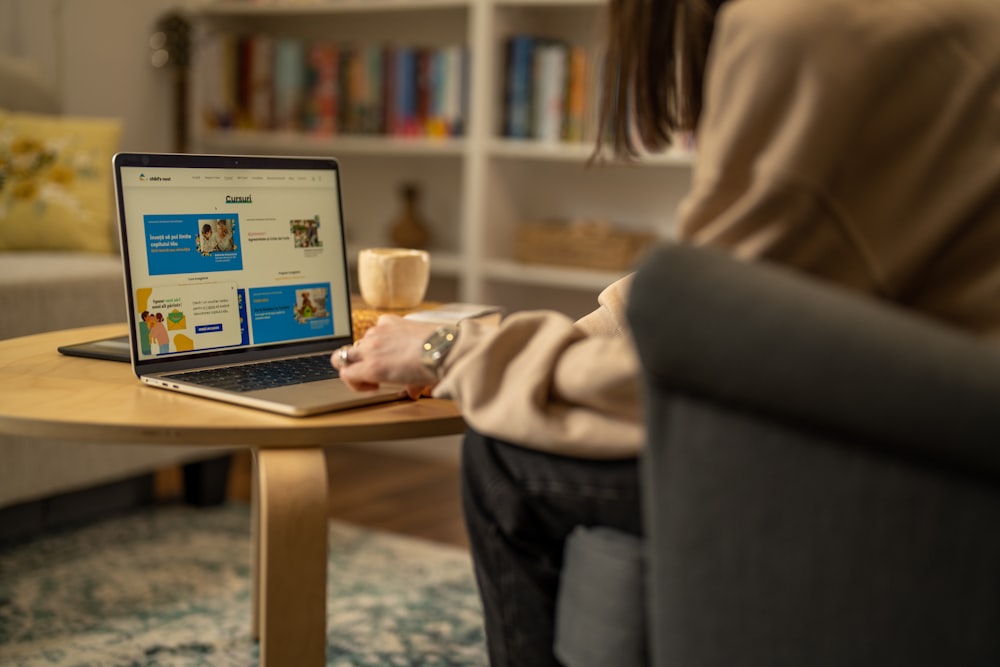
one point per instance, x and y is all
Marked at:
(47, 395)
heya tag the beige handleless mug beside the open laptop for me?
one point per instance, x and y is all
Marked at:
(393, 278)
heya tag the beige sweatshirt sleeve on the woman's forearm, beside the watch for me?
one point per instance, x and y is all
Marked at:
(544, 381)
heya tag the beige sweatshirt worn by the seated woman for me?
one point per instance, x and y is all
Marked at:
(855, 140)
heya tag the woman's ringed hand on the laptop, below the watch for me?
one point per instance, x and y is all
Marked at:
(389, 353)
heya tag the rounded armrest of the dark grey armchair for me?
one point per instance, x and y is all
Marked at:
(783, 345)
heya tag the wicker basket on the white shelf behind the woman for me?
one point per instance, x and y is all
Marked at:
(593, 244)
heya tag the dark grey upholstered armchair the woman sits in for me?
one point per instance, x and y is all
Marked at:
(821, 483)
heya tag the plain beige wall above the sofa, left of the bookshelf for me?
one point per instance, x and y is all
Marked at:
(97, 54)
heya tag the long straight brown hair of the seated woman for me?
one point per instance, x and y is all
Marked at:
(654, 72)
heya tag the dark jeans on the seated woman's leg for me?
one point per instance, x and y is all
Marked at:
(520, 505)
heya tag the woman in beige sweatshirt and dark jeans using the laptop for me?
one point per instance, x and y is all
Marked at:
(856, 141)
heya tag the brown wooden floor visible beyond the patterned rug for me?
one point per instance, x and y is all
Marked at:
(376, 489)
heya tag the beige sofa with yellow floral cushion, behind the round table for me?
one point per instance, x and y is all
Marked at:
(64, 279)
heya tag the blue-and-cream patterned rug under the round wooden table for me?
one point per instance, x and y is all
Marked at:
(169, 586)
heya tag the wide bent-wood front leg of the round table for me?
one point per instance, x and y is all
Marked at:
(291, 549)
